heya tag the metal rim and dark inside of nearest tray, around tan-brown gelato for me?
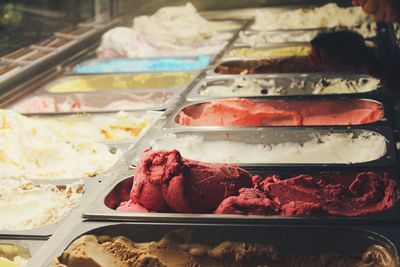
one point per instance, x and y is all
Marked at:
(288, 239)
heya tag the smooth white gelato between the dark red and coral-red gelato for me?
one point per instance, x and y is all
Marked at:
(342, 148)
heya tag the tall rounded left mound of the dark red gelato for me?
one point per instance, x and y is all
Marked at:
(165, 181)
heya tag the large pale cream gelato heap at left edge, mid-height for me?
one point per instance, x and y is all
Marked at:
(32, 150)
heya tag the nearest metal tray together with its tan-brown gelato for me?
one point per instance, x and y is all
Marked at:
(276, 243)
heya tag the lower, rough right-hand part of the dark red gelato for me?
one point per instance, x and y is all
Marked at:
(367, 193)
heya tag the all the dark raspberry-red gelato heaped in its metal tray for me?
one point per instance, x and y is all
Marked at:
(166, 182)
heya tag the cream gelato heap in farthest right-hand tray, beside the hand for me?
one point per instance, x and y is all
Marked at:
(327, 16)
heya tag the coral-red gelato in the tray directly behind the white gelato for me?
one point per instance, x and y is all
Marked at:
(243, 112)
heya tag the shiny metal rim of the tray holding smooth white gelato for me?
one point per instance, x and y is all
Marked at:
(388, 159)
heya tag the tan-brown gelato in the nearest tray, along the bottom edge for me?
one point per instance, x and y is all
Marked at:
(177, 249)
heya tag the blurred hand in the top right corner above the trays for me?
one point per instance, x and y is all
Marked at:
(382, 10)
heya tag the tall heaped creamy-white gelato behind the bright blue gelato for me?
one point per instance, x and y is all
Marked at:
(171, 31)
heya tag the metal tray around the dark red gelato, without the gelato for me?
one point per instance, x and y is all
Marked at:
(104, 208)
